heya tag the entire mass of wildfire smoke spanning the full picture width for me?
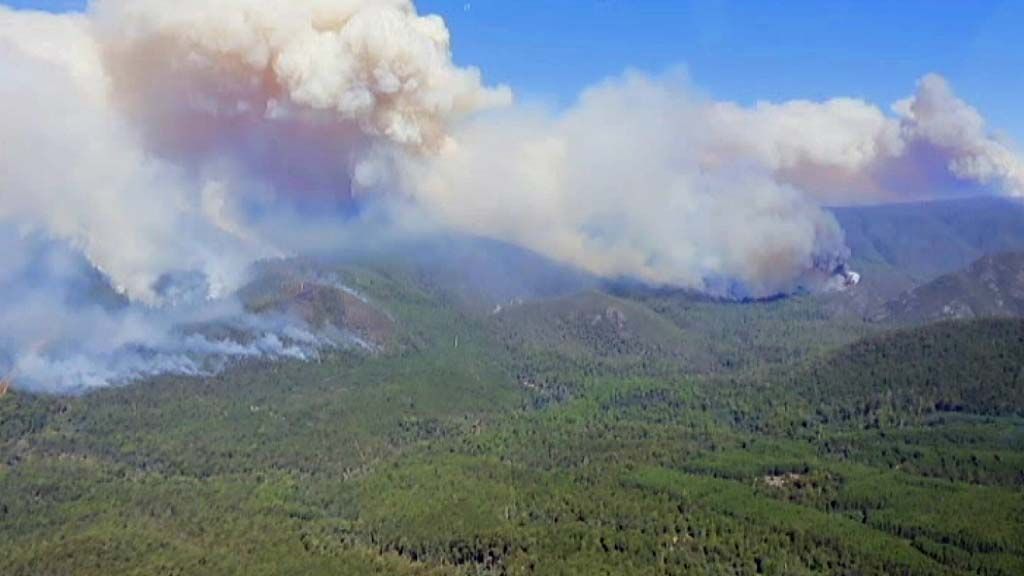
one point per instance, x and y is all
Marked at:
(153, 151)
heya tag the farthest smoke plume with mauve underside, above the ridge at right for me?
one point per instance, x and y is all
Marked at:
(850, 152)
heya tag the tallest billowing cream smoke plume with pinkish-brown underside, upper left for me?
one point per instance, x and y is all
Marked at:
(288, 94)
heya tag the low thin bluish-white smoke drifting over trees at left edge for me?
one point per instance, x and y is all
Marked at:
(67, 331)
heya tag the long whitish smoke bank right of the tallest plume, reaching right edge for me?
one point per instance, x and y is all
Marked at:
(646, 178)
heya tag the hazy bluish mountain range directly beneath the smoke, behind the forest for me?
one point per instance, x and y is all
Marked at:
(913, 258)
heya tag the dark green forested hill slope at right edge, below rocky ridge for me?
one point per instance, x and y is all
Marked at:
(975, 367)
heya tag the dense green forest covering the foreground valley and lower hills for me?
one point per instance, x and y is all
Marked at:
(599, 433)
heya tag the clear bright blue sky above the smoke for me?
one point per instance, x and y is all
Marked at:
(743, 51)
